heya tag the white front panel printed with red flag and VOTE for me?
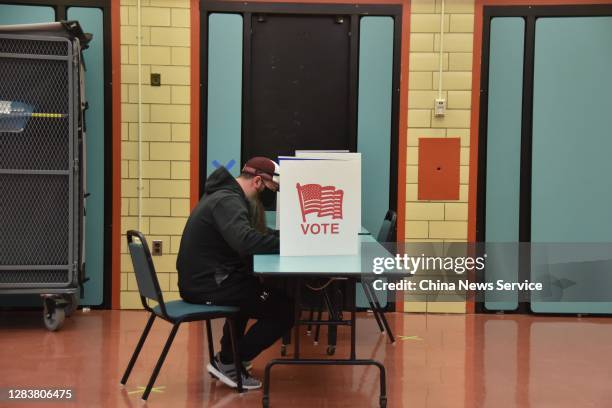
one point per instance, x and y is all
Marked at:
(320, 206)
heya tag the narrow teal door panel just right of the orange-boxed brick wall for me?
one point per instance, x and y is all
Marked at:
(505, 101)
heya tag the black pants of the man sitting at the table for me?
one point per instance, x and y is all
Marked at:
(274, 312)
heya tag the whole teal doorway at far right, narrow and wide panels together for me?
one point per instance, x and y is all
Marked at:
(563, 195)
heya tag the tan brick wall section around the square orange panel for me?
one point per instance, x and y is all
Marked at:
(438, 220)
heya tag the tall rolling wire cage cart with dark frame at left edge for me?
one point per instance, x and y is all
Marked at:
(42, 136)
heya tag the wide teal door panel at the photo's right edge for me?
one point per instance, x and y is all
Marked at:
(571, 143)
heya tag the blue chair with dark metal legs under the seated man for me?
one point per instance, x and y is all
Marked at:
(174, 312)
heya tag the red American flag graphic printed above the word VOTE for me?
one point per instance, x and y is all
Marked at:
(323, 201)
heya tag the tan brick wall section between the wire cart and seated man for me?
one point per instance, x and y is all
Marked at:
(165, 135)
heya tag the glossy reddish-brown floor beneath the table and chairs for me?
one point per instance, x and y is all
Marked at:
(440, 361)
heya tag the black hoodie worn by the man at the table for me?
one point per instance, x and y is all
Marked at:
(215, 256)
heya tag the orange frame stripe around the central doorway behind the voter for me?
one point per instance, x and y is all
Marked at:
(403, 106)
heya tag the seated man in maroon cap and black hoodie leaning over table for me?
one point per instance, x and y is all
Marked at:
(215, 264)
